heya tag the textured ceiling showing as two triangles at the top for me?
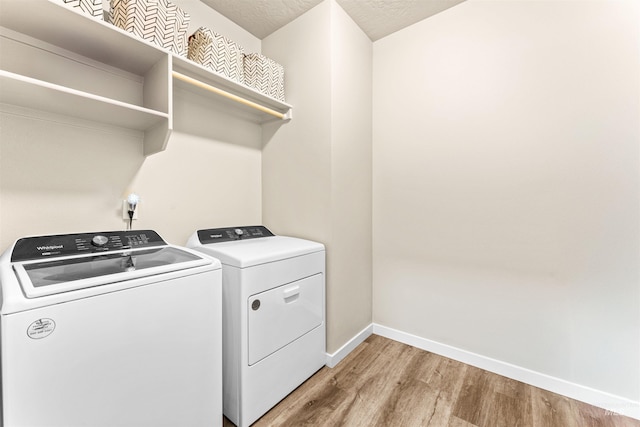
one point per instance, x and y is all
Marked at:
(377, 18)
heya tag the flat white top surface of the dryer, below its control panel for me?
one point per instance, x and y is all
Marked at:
(250, 252)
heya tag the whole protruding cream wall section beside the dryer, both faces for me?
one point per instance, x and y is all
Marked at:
(317, 168)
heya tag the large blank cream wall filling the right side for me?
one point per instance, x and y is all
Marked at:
(506, 186)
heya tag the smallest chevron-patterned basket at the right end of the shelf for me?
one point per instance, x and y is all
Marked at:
(265, 75)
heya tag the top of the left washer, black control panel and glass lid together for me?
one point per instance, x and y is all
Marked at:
(48, 265)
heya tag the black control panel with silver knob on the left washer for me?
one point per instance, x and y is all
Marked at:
(30, 248)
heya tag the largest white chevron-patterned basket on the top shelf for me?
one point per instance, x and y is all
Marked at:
(158, 21)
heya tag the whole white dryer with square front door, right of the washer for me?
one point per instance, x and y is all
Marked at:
(273, 291)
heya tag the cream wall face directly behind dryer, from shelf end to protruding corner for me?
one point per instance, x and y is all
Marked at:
(296, 159)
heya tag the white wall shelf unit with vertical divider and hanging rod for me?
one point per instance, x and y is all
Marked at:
(73, 31)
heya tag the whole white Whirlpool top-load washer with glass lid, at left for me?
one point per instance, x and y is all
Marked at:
(109, 329)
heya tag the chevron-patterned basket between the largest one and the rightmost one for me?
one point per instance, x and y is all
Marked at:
(217, 53)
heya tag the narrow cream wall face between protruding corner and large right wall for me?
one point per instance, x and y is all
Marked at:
(350, 305)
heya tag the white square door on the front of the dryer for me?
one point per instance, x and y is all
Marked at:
(283, 314)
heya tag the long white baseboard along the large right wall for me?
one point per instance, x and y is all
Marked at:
(610, 402)
